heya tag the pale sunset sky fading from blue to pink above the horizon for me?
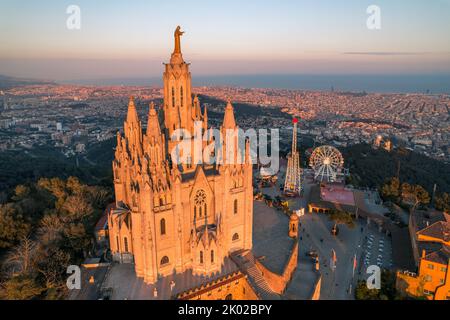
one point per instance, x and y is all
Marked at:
(120, 39)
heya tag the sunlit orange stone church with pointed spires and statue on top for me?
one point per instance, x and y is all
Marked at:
(173, 216)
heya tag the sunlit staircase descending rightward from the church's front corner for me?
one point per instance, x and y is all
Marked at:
(246, 262)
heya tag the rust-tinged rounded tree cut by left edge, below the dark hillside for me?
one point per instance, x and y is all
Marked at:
(12, 225)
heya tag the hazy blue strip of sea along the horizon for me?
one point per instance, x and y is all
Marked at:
(421, 83)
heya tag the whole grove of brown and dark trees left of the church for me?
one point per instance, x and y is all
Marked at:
(61, 214)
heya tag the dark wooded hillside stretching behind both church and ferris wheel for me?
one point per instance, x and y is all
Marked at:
(368, 167)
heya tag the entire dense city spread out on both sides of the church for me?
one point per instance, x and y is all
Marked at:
(416, 121)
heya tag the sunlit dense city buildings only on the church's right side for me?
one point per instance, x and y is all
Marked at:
(418, 121)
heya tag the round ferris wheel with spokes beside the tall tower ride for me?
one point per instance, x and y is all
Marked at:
(327, 163)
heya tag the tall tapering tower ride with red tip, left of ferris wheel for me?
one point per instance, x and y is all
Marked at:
(292, 185)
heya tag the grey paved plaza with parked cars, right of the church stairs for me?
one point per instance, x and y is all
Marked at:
(370, 246)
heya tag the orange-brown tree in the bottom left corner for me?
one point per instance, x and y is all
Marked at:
(22, 287)
